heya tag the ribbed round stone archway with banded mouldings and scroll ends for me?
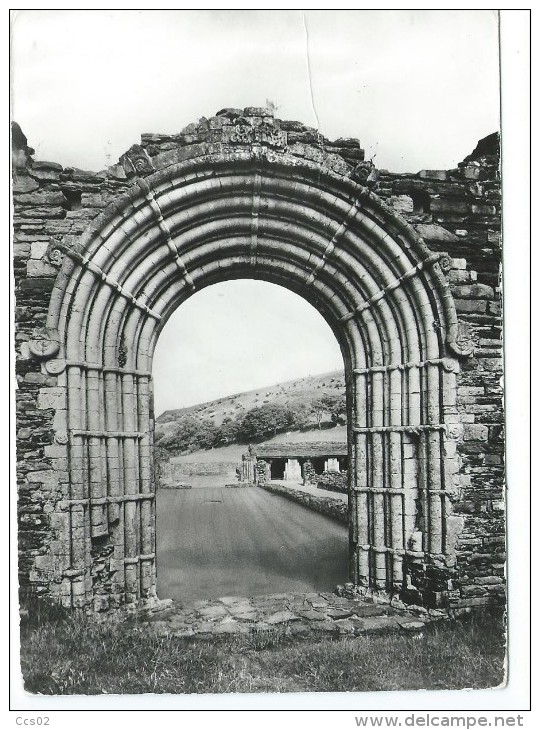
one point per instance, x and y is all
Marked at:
(208, 213)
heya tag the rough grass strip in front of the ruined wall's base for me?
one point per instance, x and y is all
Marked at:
(78, 655)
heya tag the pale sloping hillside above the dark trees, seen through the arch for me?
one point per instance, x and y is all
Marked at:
(301, 390)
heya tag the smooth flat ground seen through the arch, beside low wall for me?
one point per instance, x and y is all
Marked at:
(223, 542)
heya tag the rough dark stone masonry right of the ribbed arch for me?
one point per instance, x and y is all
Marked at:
(459, 212)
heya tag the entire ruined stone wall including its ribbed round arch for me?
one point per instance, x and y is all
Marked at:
(404, 267)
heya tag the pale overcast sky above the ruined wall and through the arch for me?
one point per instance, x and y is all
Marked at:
(418, 88)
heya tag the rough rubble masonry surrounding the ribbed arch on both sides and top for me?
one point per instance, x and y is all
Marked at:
(456, 211)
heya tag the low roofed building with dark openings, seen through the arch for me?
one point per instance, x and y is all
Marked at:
(300, 462)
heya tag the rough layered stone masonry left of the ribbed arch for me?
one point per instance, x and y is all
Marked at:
(52, 206)
